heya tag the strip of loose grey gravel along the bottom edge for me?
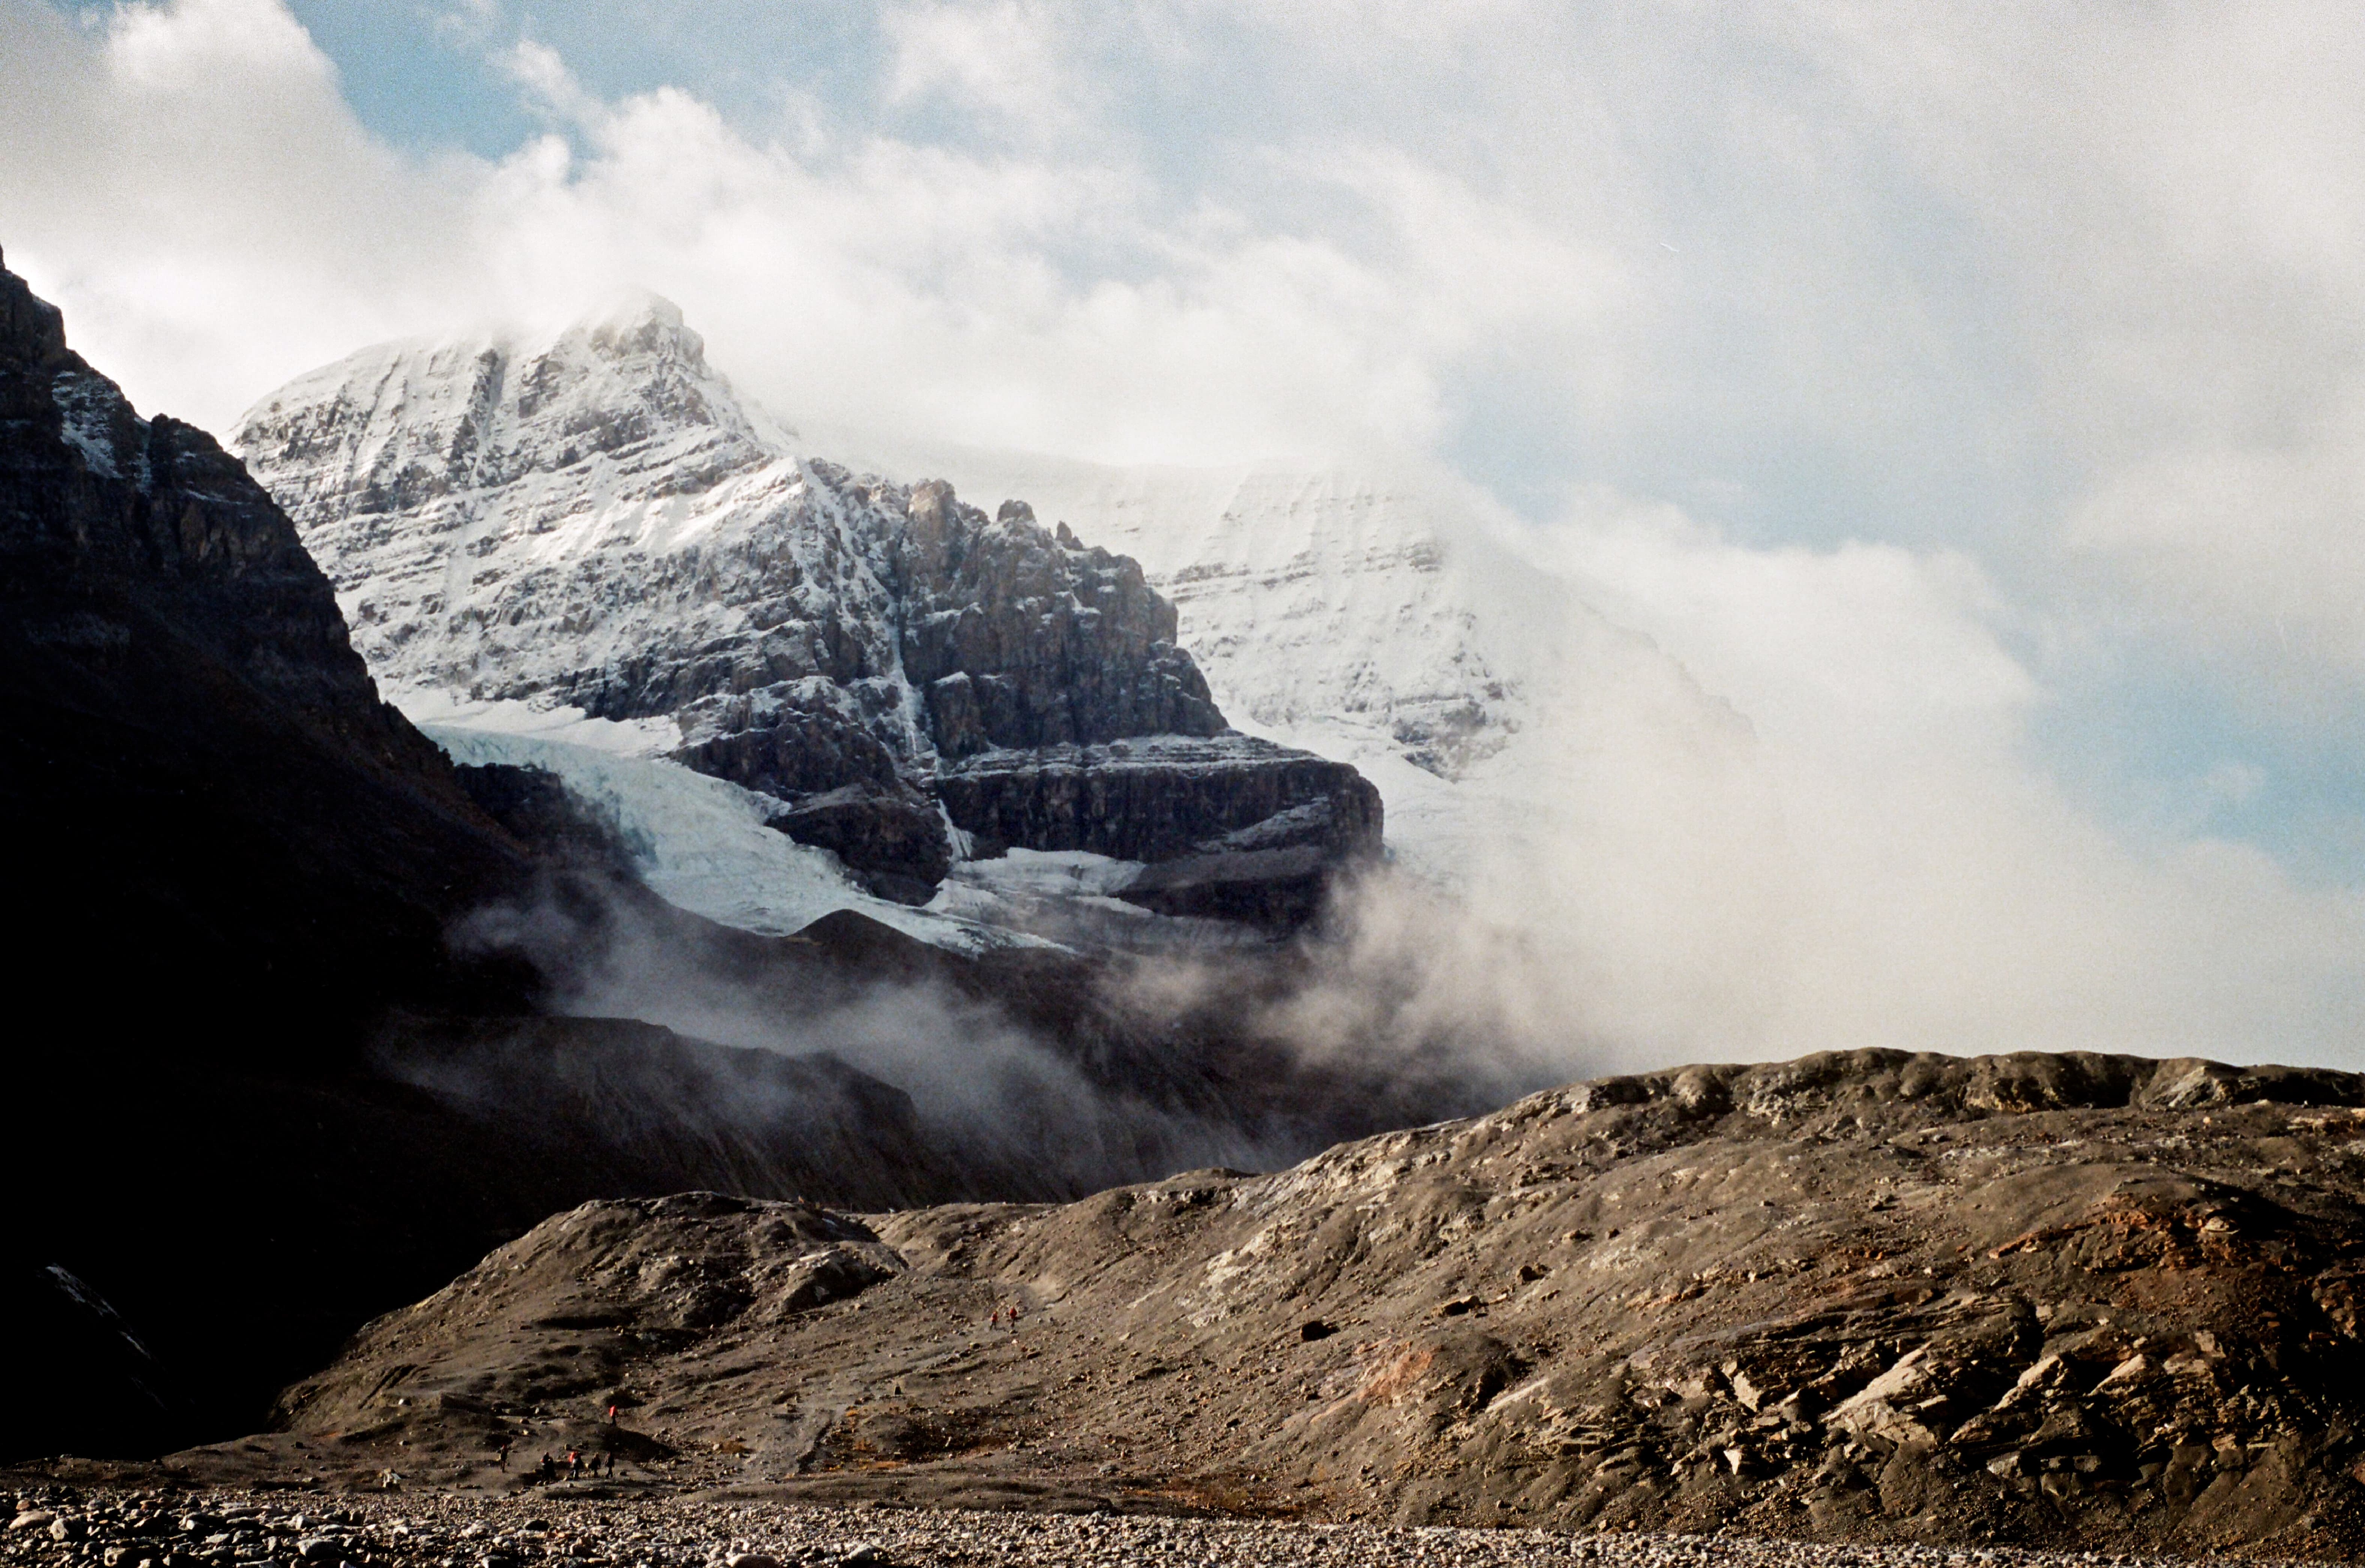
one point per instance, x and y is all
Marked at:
(250, 1531)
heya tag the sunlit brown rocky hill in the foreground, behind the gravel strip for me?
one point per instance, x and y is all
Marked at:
(2042, 1300)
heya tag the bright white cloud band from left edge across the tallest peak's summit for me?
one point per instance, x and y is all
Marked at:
(257, 231)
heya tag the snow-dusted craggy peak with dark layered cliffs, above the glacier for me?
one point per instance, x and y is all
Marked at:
(597, 521)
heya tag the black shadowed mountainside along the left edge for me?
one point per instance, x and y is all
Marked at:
(228, 857)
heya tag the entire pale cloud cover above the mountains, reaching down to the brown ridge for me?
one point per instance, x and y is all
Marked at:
(1971, 403)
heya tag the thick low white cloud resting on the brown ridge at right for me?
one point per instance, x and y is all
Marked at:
(1879, 862)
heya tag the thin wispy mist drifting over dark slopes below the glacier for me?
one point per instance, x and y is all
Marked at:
(1039, 1075)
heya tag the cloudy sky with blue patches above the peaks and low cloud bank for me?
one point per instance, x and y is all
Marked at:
(2061, 309)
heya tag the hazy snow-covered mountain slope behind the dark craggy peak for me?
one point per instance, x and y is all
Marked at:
(1399, 623)
